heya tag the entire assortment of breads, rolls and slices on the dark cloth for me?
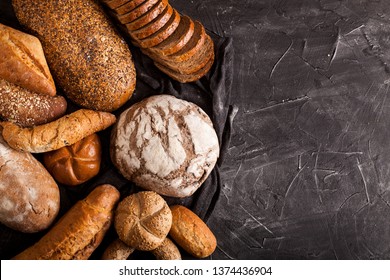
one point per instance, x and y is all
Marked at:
(165, 145)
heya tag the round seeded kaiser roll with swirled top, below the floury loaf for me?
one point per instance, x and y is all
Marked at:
(143, 220)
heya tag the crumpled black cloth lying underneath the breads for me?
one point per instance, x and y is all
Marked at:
(211, 93)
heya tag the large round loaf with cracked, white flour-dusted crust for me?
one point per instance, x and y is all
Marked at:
(165, 144)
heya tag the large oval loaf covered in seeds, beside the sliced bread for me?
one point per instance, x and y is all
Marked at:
(87, 57)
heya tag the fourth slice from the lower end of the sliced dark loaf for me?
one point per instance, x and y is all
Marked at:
(178, 39)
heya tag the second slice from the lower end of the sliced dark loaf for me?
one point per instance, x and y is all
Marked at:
(189, 66)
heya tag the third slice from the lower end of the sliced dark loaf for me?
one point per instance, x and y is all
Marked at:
(193, 45)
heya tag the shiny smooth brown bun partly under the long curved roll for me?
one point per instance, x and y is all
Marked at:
(75, 164)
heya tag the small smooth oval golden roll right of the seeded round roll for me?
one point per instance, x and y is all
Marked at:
(191, 233)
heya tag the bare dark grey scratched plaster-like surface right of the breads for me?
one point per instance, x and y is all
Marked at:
(307, 170)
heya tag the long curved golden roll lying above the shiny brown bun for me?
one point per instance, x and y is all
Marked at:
(62, 132)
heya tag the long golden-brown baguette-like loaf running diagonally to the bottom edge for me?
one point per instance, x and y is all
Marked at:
(80, 231)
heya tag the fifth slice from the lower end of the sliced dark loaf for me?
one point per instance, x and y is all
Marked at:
(159, 36)
